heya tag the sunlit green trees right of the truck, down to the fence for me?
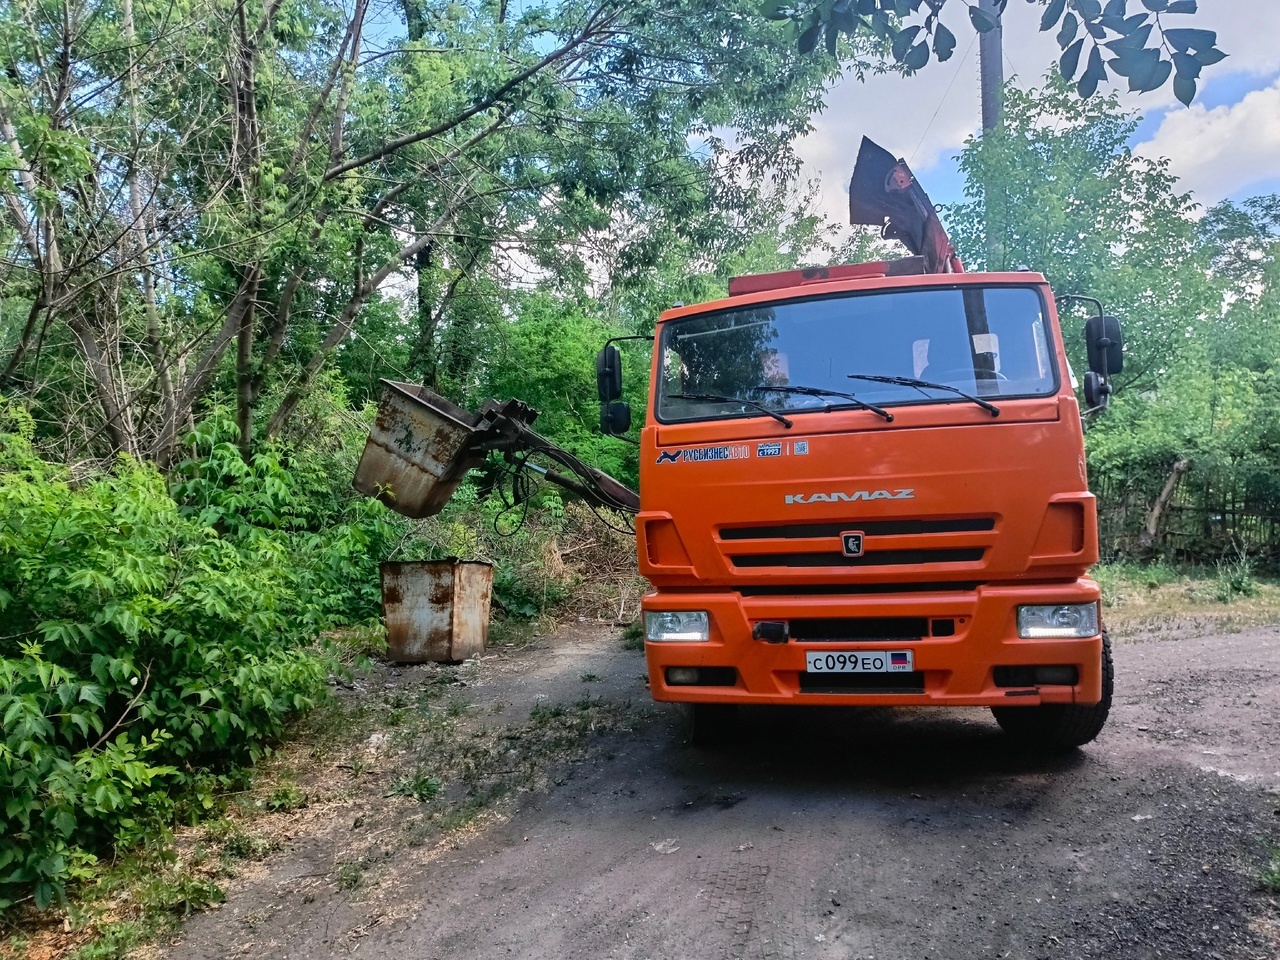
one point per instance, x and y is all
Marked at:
(1199, 298)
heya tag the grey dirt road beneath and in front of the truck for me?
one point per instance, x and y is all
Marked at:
(897, 835)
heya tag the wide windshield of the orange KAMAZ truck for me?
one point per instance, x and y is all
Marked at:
(817, 355)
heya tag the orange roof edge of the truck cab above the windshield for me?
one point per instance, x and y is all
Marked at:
(810, 282)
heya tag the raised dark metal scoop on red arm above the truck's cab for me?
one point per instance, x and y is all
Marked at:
(884, 193)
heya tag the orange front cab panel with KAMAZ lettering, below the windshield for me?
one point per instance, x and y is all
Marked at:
(944, 495)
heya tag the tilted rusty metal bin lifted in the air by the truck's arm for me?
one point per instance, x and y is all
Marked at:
(418, 451)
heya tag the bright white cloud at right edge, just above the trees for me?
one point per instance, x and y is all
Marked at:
(1218, 153)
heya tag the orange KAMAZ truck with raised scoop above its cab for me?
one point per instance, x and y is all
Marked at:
(866, 486)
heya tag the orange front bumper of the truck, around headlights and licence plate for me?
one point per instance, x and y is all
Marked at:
(954, 671)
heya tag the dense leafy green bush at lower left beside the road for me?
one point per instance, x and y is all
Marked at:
(152, 642)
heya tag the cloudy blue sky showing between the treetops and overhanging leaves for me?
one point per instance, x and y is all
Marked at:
(1226, 147)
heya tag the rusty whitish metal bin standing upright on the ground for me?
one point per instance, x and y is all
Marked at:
(436, 611)
